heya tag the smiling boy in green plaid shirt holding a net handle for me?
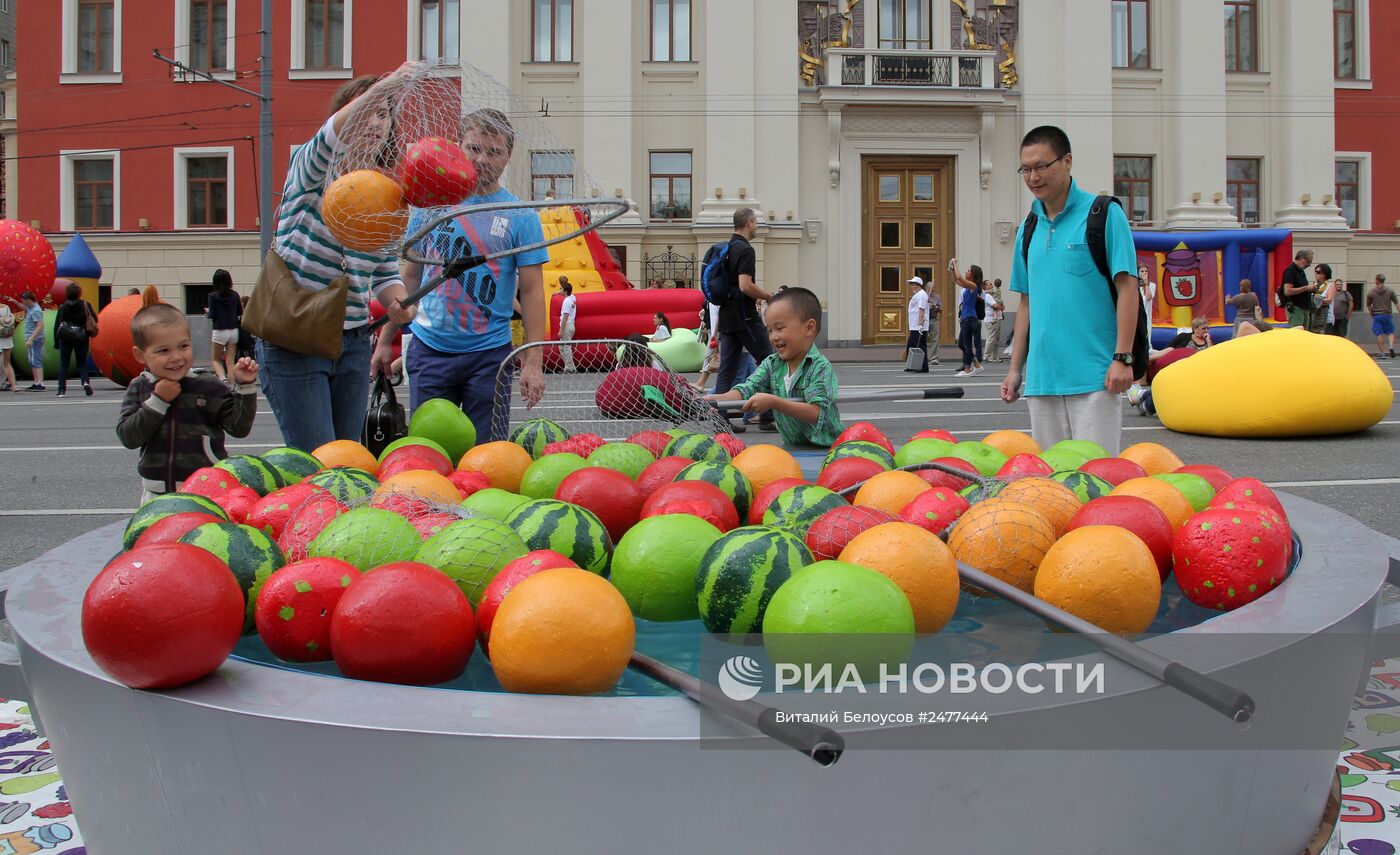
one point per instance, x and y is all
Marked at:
(796, 383)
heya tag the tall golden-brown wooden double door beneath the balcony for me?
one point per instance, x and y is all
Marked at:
(906, 232)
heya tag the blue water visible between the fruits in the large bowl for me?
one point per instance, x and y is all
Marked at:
(981, 629)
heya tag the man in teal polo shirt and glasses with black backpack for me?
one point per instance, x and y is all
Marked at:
(1080, 352)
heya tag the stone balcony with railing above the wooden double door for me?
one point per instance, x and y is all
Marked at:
(863, 75)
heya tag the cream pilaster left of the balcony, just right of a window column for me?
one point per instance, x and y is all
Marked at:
(729, 72)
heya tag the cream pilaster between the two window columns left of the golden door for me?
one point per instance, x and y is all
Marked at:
(608, 76)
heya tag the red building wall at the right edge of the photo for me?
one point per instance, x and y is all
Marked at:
(1370, 120)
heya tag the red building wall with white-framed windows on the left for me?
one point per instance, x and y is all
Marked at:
(150, 114)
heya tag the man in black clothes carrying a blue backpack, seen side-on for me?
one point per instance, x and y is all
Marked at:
(731, 285)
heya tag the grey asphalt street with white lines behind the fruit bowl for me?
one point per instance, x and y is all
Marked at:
(64, 472)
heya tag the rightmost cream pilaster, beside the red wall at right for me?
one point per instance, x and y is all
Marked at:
(1303, 146)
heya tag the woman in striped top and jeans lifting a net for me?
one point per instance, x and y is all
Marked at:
(318, 400)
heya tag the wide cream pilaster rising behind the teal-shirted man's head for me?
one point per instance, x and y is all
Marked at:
(1066, 80)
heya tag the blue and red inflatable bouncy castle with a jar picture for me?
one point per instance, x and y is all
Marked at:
(1198, 272)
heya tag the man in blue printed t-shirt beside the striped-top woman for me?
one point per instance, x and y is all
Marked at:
(463, 332)
